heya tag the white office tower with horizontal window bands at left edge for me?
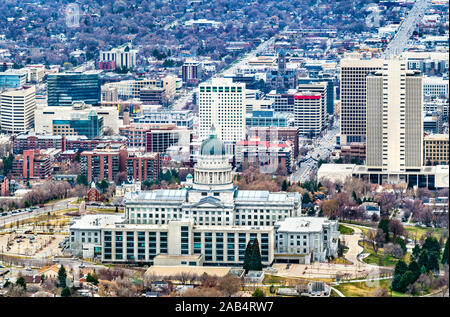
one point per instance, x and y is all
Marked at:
(17, 110)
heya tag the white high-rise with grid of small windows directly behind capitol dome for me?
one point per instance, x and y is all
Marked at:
(222, 105)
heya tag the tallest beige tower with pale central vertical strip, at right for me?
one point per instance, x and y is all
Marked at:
(395, 118)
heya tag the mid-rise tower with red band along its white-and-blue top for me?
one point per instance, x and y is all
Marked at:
(308, 107)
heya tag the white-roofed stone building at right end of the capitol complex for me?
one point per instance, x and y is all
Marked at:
(305, 239)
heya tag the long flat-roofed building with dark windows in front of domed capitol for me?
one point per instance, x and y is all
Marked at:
(219, 245)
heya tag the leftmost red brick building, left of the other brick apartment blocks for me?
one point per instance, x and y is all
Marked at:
(31, 165)
